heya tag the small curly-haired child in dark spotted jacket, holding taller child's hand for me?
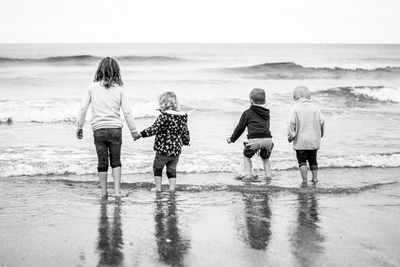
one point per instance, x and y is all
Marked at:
(171, 133)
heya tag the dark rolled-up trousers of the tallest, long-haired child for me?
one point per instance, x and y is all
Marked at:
(108, 143)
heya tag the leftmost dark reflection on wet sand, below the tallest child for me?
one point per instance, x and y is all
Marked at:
(110, 242)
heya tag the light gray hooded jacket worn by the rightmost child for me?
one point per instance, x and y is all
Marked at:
(306, 125)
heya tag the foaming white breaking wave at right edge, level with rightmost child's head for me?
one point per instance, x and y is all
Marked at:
(365, 93)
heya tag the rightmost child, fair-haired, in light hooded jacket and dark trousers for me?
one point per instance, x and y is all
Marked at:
(305, 128)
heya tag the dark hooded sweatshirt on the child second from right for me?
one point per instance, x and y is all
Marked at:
(256, 119)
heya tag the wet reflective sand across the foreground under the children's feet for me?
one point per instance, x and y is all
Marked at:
(61, 221)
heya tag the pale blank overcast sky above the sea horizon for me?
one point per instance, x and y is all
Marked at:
(200, 21)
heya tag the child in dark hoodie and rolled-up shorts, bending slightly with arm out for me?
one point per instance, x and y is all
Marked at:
(257, 121)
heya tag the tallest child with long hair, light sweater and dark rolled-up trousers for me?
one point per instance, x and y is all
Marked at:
(107, 97)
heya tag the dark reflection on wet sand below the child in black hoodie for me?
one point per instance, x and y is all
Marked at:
(258, 220)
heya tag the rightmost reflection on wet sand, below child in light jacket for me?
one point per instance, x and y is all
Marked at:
(307, 239)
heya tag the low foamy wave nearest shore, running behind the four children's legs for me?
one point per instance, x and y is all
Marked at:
(42, 160)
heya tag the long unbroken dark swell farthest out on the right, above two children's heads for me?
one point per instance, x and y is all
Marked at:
(291, 70)
